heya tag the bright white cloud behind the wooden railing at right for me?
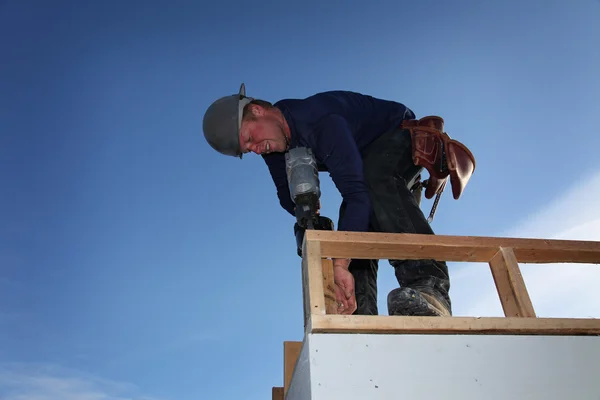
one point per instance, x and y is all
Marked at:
(556, 290)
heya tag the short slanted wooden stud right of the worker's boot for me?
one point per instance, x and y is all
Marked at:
(510, 284)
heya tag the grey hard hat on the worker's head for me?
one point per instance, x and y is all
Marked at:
(222, 122)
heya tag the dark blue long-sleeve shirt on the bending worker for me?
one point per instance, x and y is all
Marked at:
(337, 126)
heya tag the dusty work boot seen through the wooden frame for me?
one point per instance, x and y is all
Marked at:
(424, 302)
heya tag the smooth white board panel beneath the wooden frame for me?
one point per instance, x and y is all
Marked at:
(365, 366)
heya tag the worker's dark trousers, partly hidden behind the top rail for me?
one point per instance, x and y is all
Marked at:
(388, 166)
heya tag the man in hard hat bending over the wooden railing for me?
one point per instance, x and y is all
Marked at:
(356, 138)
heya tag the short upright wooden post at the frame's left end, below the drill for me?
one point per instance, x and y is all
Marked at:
(312, 276)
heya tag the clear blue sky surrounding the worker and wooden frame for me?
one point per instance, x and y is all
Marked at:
(137, 263)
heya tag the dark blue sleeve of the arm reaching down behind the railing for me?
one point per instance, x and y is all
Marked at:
(335, 146)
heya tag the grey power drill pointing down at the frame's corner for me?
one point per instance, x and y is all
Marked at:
(303, 180)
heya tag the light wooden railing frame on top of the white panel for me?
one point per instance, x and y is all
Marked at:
(502, 255)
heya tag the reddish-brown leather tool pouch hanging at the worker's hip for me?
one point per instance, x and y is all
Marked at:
(442, 156)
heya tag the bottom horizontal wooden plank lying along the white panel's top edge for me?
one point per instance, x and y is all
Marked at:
(453, 325)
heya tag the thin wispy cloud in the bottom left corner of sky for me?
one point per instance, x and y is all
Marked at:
(49, 382)
